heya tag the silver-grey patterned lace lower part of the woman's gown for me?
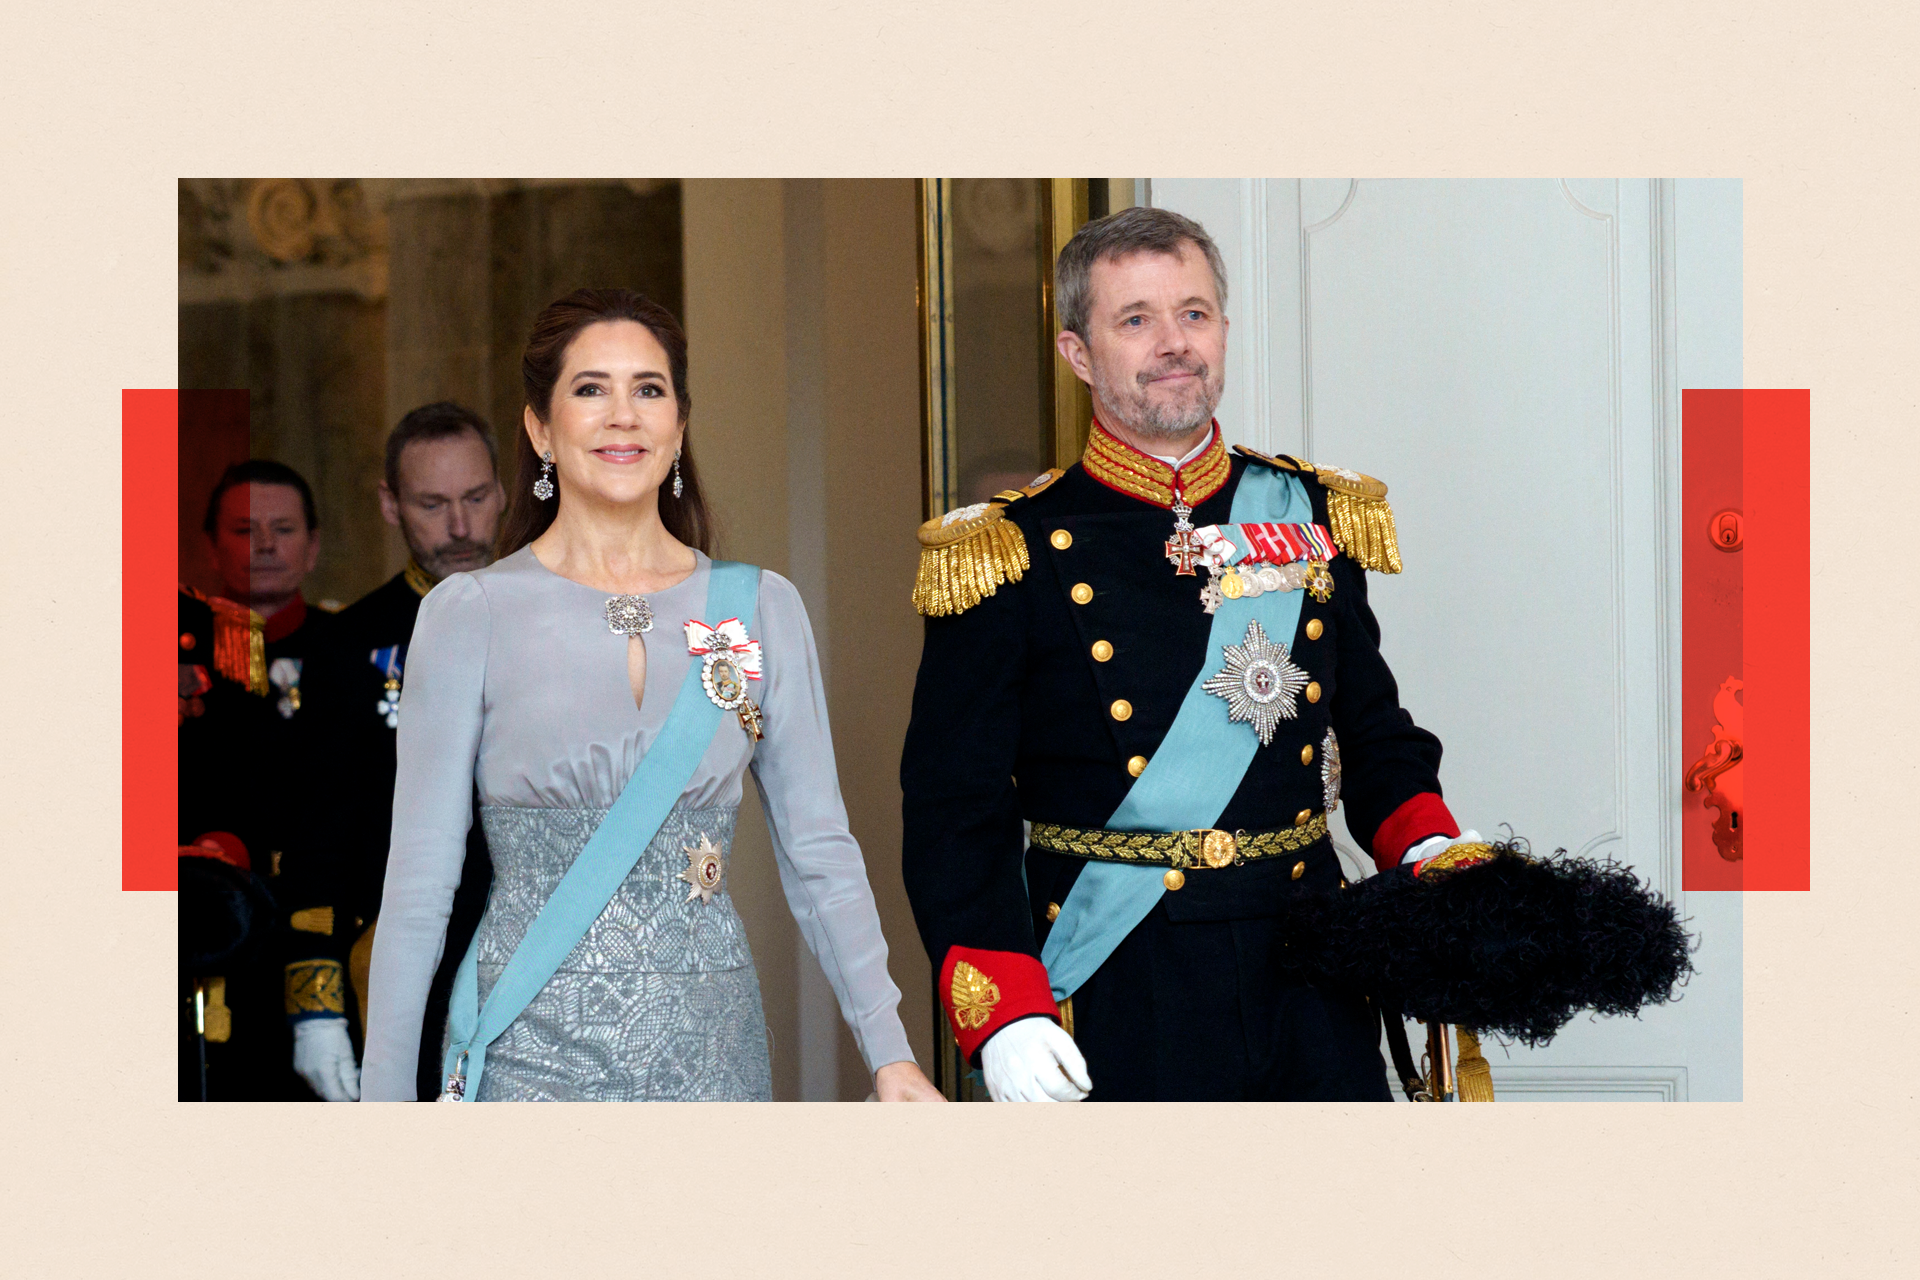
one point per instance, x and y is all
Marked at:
(660, 1001)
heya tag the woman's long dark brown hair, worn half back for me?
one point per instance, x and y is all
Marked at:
(554, 333)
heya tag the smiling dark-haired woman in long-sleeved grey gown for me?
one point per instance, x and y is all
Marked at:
(519, 686)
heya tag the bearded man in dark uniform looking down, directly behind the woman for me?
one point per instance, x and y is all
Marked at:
(444, 494)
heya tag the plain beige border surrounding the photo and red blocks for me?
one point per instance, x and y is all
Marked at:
(105, 107)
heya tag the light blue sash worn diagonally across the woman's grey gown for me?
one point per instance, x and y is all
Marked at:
(610, 857)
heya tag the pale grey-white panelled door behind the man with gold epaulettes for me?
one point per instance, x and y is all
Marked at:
(1508, 358)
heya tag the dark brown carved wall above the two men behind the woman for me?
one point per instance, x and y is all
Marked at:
(341, 304)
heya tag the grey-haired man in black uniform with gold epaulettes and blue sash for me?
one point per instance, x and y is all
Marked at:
(1163, 659)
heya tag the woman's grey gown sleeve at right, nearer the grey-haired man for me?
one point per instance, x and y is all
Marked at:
(821, 866)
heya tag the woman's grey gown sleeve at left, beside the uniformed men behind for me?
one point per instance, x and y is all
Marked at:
(433, 807)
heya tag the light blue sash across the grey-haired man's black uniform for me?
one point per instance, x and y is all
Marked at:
(1193, 772)
